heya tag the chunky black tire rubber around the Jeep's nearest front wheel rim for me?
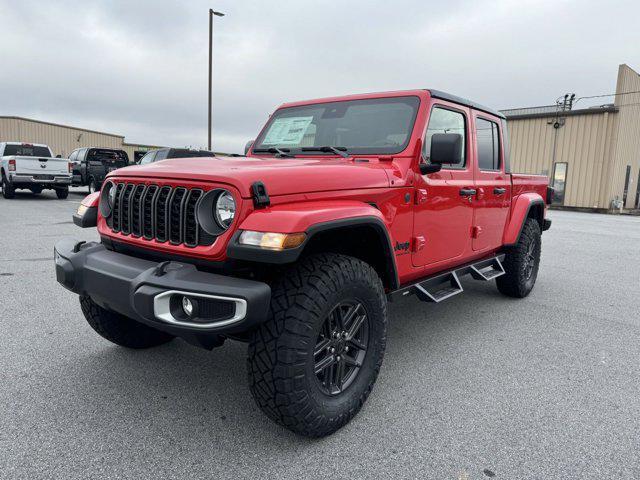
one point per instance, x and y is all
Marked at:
(281, 358)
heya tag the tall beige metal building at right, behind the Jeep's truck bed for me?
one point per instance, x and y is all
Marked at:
(592, 155)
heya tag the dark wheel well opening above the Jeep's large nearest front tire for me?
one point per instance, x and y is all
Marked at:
(364, 242)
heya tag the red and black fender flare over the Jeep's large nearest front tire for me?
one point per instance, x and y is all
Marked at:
(311, 218)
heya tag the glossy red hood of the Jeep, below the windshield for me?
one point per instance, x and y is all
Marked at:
(281, 176)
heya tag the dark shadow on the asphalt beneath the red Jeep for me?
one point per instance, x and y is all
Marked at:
(183, 388)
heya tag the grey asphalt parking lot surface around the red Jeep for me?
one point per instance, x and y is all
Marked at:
(480, 386)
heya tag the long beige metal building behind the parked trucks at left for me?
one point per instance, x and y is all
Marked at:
(63, 139)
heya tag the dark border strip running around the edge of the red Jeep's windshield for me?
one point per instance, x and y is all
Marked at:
(373, 150)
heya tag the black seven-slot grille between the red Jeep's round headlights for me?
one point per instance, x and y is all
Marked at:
(164, 214)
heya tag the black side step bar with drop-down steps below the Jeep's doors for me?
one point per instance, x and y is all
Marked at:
(445, 285)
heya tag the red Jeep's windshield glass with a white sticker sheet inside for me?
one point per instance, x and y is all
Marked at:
(371, 126)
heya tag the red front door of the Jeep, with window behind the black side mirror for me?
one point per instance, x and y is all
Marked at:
(443, 213)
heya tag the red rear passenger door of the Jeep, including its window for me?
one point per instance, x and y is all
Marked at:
(493, 185)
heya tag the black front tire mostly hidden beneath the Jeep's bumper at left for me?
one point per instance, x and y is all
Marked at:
(119, 329)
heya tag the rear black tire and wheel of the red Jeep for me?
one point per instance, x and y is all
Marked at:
(516, 282)
